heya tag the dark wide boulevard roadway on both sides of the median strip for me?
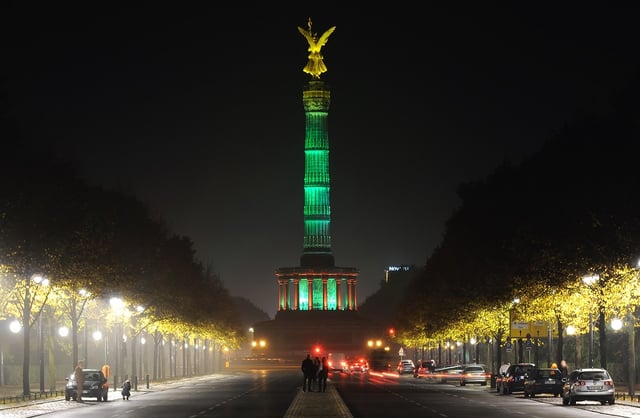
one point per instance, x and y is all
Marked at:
(272, 392)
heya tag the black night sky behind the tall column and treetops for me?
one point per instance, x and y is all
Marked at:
(198, 110)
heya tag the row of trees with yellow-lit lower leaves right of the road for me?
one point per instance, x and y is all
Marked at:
(532, 232)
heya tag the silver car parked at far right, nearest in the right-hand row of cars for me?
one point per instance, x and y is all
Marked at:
(592, 384)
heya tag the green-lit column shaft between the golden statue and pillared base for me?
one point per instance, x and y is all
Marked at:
(317, 208)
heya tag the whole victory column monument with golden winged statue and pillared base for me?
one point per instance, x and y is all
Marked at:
(317, 284)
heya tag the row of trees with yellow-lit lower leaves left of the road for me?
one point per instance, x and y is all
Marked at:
(104, 242)
